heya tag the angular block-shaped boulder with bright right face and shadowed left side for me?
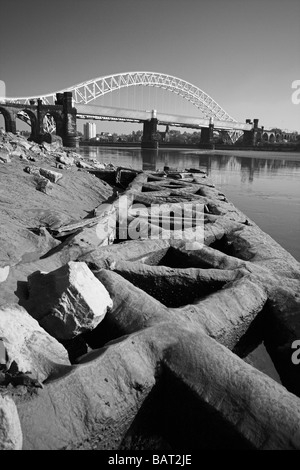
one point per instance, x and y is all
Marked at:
(68, 301)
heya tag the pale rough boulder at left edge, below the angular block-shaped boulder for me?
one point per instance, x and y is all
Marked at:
(29, 348)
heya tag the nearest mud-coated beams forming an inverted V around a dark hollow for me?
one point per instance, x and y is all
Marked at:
(227, 402)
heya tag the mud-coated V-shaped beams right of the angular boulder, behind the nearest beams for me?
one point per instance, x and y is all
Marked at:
(224, 315)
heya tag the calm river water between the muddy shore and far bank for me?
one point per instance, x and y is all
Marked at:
(263, 185)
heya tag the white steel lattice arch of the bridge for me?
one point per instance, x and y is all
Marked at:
(90, 90)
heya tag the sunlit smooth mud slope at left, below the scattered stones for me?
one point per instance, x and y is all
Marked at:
(21, 204)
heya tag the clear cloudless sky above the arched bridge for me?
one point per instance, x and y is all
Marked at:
(244, 54)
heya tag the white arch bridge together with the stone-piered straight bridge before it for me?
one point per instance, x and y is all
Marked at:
(59, 111)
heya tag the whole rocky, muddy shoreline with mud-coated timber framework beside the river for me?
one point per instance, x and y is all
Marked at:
(139, 344)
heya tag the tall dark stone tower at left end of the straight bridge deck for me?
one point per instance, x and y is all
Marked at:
(69, 130)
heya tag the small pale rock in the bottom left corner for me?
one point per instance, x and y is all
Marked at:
(10, 428)
